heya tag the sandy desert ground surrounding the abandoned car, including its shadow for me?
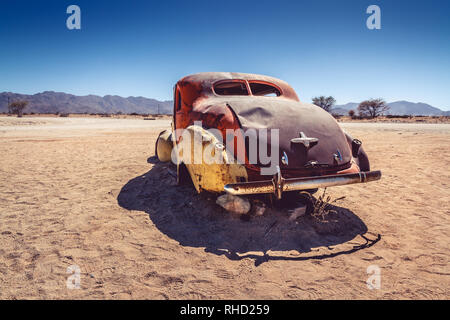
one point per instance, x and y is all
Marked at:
(88, 192)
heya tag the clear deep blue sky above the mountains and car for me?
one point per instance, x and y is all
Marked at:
(141, 48)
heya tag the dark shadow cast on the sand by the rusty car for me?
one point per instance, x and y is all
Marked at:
(195, 220)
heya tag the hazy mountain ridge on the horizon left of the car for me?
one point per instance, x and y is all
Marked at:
(52, 102)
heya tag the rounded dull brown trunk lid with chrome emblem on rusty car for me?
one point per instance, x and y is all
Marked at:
(290, 118)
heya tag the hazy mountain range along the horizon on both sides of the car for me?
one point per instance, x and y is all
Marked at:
(52, 102)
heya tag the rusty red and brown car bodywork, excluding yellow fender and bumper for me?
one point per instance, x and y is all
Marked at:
(331, 153)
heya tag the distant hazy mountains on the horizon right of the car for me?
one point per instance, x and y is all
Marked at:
(397, 108)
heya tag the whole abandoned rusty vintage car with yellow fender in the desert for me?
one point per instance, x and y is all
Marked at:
(311, 148)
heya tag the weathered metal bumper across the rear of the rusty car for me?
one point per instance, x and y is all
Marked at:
(278, 184)
